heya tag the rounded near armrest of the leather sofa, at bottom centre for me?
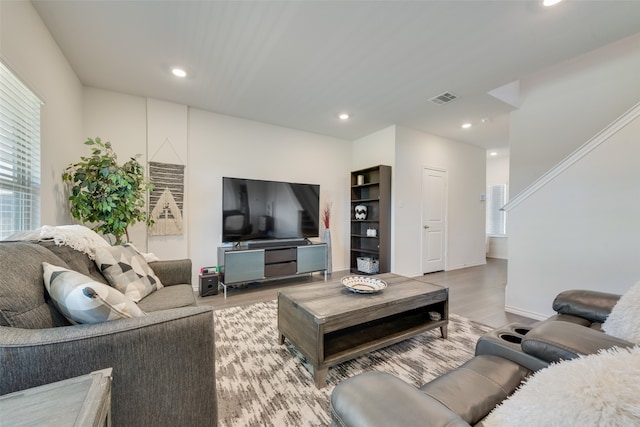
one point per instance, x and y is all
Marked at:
(379, 399)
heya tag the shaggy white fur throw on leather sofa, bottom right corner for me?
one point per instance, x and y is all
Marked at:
(597, 390)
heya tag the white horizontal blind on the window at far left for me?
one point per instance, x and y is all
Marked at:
(19, 155)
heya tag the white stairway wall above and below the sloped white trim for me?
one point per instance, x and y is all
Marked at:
(580, 231)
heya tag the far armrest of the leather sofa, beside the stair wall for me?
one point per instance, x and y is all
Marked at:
(591, 305)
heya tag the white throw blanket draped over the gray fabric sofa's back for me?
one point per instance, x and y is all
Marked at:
(78, 237)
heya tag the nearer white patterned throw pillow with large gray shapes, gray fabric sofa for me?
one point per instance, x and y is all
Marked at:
(83, 300)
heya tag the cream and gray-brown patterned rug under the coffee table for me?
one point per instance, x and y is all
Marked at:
(261, 383)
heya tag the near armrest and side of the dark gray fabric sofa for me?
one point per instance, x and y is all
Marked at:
(163, 364)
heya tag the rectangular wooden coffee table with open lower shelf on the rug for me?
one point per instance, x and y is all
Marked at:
(329, 324)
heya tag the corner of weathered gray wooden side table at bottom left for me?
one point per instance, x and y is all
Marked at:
(80, 401)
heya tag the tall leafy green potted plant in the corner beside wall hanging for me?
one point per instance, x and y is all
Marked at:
(105, 194)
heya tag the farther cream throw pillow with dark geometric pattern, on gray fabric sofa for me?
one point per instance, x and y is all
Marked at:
(127, 271)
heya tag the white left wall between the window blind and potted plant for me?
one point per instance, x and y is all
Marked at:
(29, 50)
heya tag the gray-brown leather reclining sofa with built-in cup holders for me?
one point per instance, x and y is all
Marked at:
(504, 358)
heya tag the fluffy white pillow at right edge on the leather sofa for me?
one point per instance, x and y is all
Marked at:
(624, 319)
